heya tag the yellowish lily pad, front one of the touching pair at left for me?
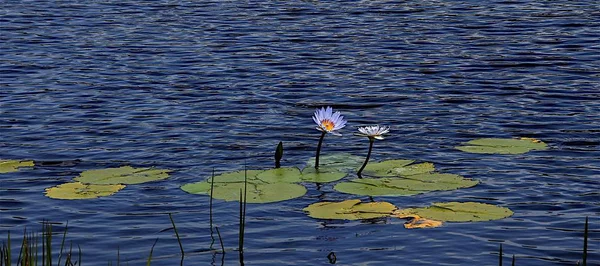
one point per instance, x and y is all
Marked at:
(78, 190)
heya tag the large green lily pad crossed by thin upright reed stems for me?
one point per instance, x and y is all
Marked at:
(257, 193)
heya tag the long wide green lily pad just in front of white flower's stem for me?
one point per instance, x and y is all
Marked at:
(404, 186)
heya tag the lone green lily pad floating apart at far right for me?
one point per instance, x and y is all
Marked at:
(502, 146)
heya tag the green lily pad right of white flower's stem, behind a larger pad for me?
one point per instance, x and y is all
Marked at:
(397, 168)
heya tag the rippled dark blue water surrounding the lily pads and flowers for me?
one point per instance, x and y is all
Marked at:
(197, 85)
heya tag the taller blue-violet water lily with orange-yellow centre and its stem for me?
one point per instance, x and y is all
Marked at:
(327, 122)
